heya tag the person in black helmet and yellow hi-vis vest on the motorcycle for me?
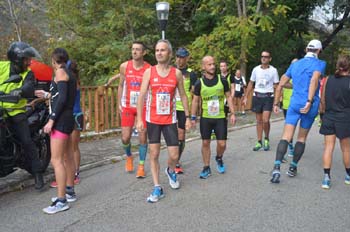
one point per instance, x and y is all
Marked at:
(19, 57)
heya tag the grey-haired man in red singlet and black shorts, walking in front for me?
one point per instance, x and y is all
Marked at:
(161, 81)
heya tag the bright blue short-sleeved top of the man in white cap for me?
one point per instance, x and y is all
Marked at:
(301, 73)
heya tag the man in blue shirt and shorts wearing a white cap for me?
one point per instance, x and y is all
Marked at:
(303, 107)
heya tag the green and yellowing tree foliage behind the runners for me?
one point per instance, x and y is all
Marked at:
(98, 33)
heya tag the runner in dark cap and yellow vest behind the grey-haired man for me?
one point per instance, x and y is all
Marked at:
(189, 79)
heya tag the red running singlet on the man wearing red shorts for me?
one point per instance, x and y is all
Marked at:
(132, 84)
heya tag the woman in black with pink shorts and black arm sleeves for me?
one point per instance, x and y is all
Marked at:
(60, 125)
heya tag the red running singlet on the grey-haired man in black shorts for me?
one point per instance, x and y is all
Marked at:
(160, 105)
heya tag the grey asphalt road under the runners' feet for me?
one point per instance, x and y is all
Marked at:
(242, 199)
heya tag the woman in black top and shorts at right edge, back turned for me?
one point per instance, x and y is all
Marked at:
(335, 101)
